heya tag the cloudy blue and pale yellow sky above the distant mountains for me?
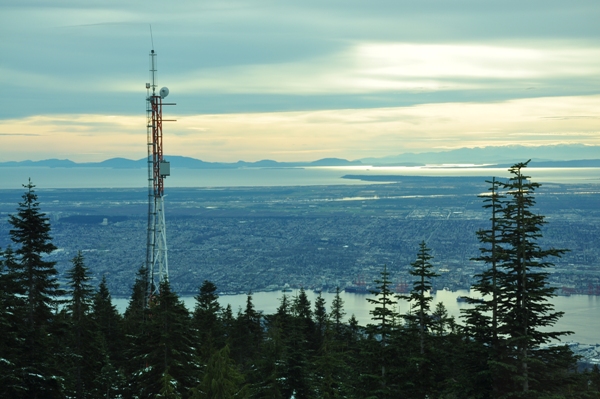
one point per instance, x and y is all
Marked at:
(297, 81)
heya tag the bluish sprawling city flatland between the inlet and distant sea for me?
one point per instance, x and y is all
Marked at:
(260, 239)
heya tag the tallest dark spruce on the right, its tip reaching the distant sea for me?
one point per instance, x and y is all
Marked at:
(524, 308)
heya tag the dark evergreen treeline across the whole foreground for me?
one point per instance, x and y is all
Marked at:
(81, 347)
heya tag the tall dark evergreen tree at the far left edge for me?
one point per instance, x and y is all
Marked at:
(39, 286)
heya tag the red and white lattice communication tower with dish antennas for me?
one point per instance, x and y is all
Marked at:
(158, 168)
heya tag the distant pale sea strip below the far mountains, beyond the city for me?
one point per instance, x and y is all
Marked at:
(14, 178)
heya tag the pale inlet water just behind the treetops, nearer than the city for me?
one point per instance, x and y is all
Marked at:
(582, 312)
